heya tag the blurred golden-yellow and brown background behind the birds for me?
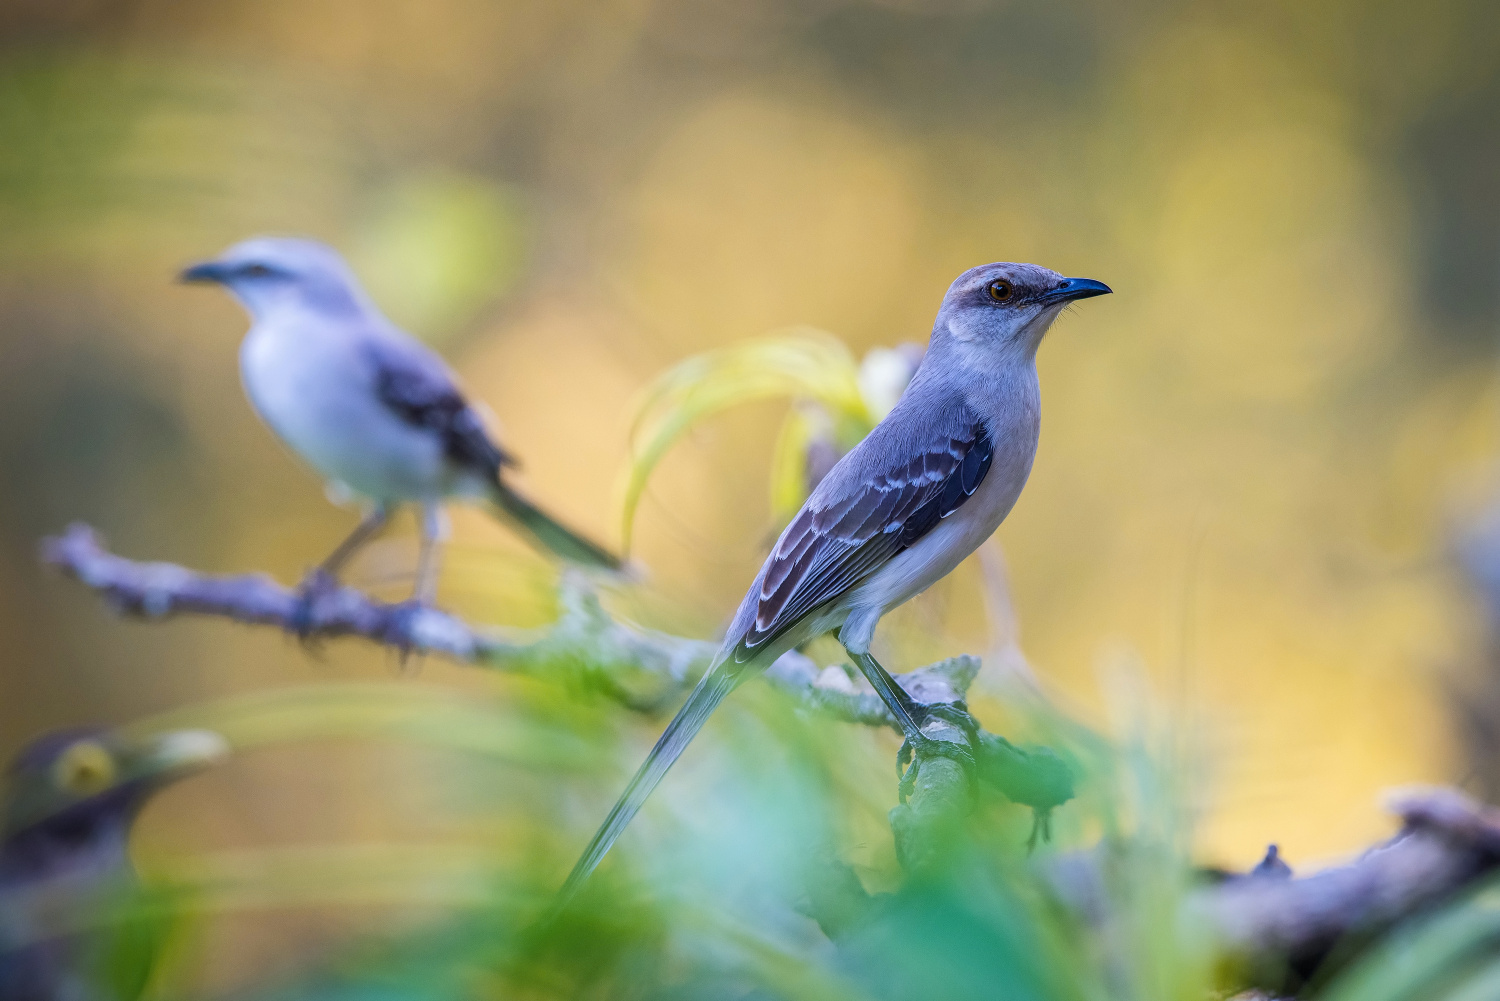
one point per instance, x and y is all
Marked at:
(1253, 455)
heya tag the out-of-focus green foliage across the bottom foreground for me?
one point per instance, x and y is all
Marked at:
(734, 889)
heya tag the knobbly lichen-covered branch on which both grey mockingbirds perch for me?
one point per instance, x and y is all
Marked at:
(587, 637)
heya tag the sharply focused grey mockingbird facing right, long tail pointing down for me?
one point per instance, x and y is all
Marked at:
(896, 514)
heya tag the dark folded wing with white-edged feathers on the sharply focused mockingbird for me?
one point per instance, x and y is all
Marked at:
(848, 531)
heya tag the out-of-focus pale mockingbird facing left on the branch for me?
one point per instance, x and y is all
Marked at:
(376, 412)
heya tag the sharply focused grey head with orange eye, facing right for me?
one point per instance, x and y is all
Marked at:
(1007, 308)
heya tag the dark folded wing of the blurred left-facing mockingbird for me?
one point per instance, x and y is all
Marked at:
(419, 389)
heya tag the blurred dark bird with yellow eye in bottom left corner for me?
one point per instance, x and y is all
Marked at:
(67, 810)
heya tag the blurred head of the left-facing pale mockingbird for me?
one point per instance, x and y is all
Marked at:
(284, 274)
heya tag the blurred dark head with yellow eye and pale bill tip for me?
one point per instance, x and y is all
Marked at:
(77, 793)
